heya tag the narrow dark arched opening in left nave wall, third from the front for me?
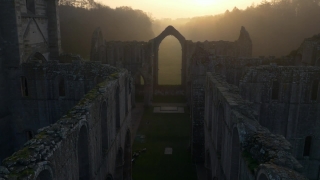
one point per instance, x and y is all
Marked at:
(104, 129)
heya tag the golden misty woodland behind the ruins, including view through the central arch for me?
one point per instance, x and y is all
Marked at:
(276, 28)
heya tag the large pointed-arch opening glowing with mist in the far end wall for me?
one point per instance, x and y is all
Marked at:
(170, 62)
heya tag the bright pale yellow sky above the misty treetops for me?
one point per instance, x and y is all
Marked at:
(181, 8)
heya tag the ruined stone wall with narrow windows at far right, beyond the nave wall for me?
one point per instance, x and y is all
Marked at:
(287, 101)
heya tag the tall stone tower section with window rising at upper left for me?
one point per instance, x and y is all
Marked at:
(30, 28)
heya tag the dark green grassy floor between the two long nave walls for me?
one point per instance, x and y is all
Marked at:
(161, 131)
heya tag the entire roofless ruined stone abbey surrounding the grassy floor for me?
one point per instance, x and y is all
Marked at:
(65, 118)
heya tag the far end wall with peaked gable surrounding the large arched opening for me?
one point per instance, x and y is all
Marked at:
(141, 58)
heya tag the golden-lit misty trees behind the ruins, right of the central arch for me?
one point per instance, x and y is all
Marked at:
(276, 27)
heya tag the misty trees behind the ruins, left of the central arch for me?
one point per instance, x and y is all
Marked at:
(78, 23)
